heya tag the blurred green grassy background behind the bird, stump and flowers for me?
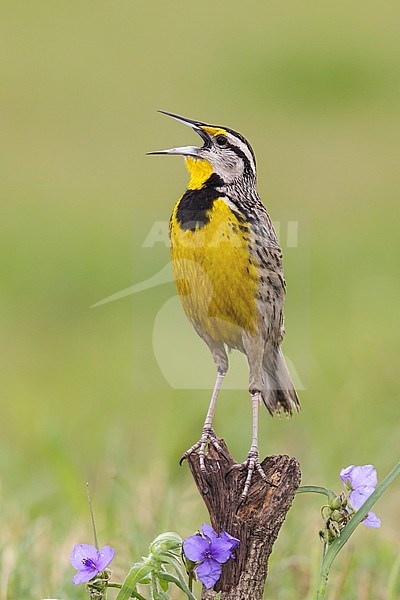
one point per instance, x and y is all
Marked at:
(316, 88)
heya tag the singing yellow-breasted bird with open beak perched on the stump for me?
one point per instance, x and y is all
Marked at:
(227, 264)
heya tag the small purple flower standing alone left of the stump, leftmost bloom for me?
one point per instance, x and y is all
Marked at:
(89, 561)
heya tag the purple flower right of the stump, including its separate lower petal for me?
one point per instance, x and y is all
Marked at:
(361, 481)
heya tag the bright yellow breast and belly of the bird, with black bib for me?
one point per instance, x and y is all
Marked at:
(216, 276)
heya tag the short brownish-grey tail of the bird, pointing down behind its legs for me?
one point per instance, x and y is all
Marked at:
(279, 393)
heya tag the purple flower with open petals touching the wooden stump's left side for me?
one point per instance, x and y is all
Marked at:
(210, 551)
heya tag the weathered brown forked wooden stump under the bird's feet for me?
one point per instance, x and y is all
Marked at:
(256, 523)
